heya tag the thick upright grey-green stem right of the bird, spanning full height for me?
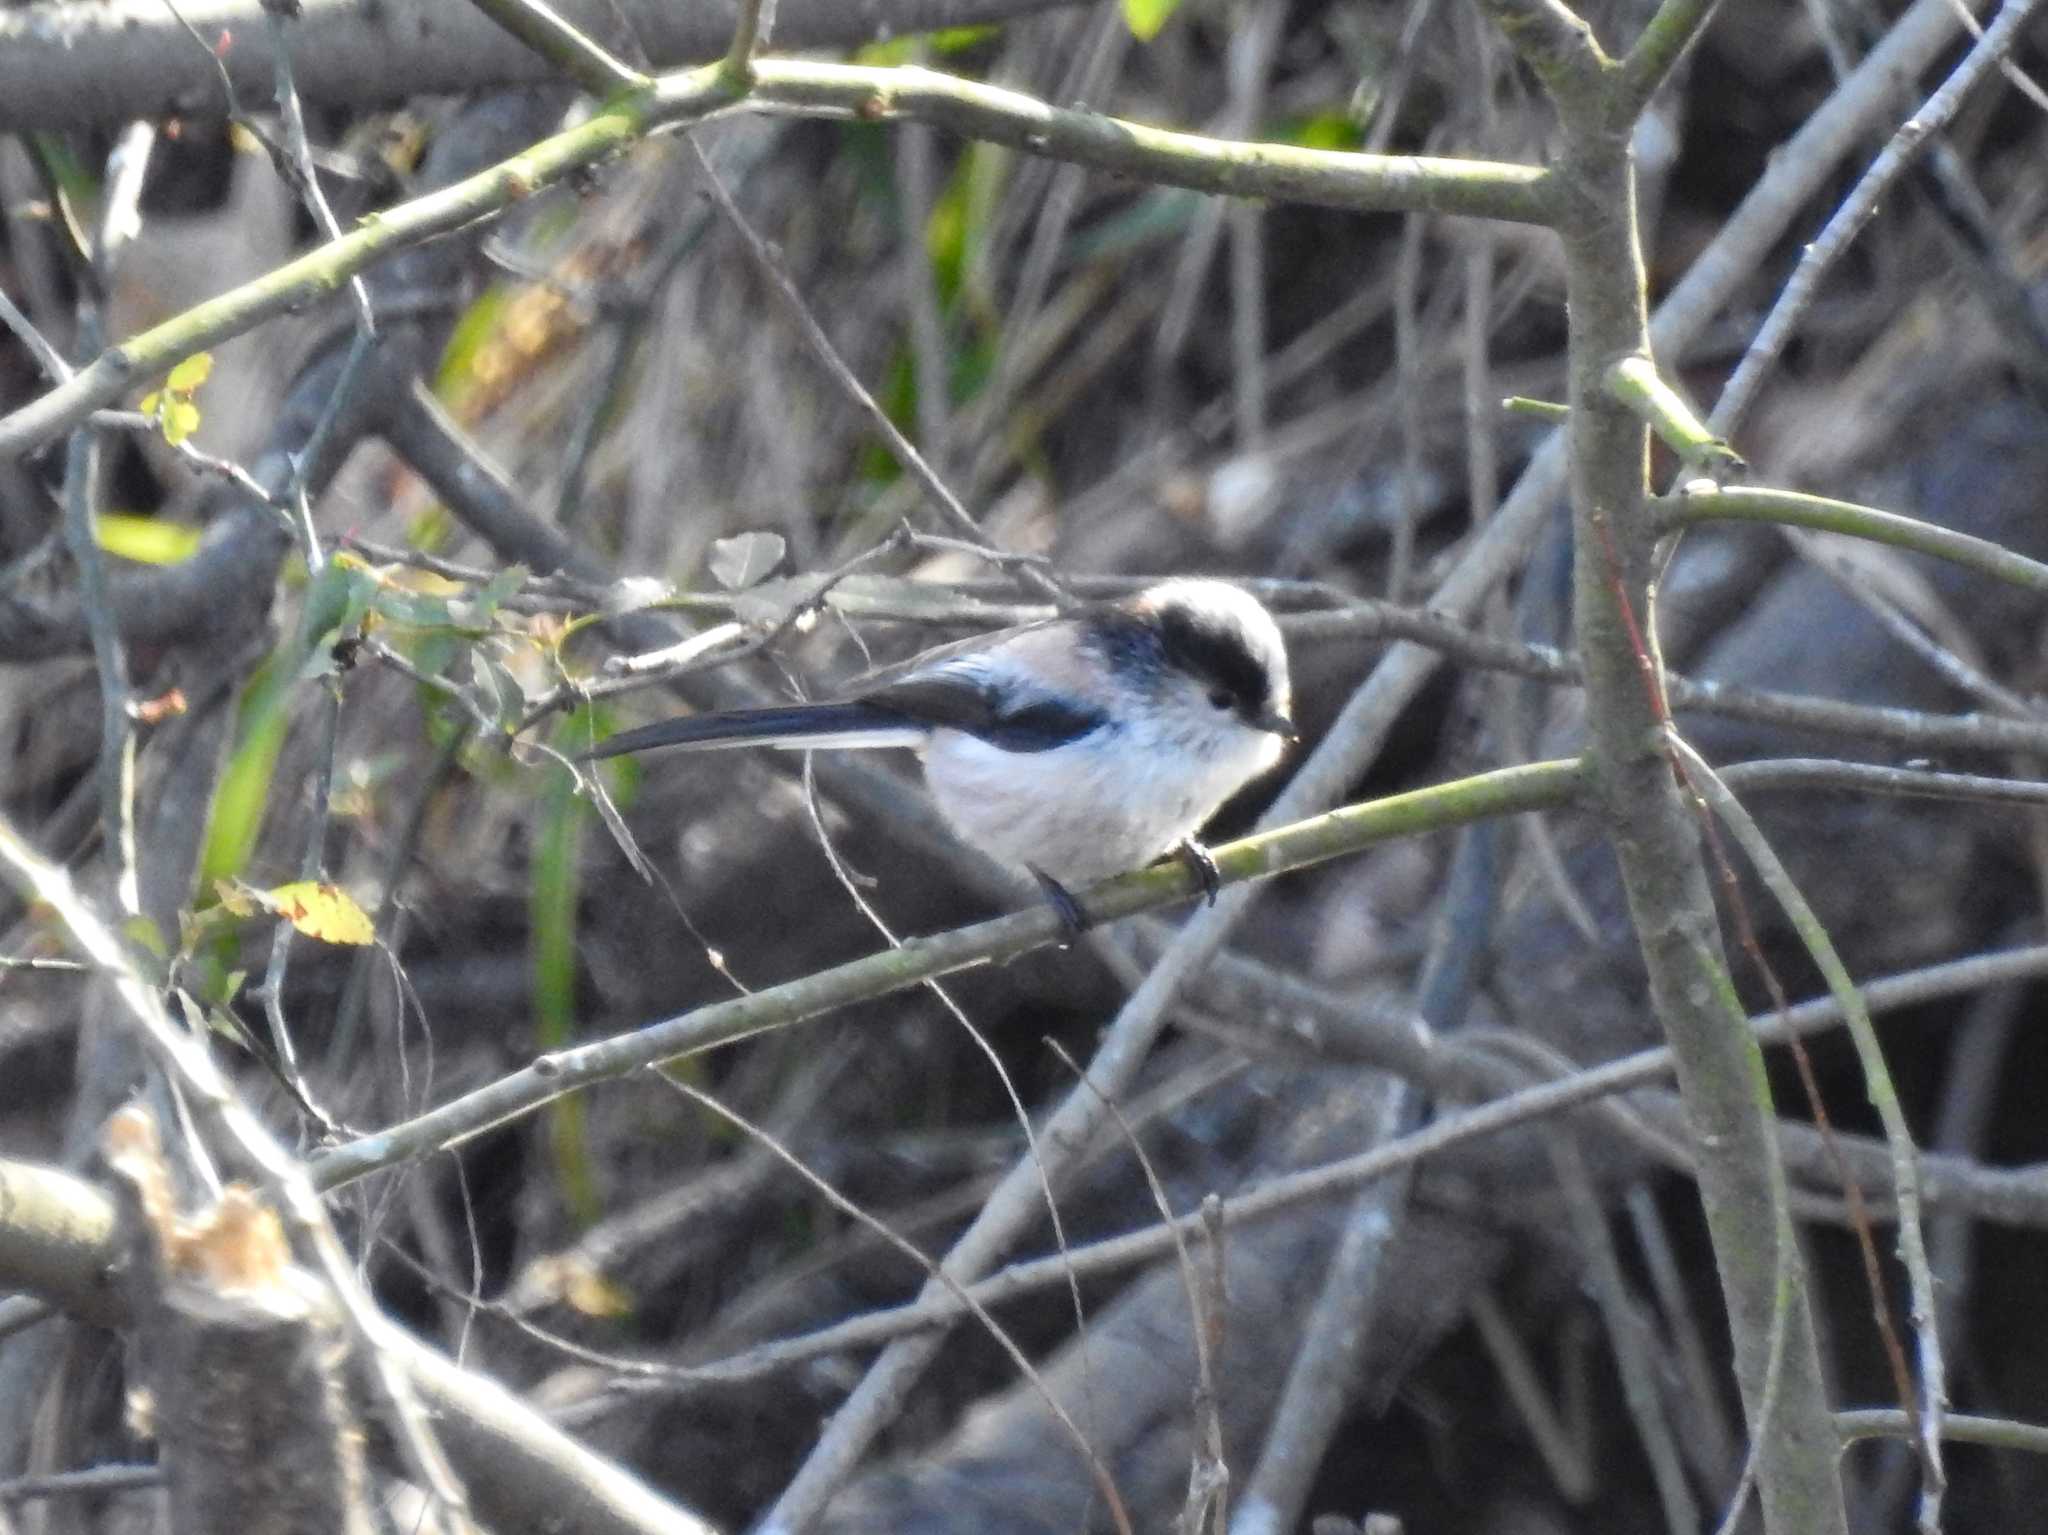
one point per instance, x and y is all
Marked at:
(1670, 902)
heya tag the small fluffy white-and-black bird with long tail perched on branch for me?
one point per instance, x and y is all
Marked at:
(1080, 748)
